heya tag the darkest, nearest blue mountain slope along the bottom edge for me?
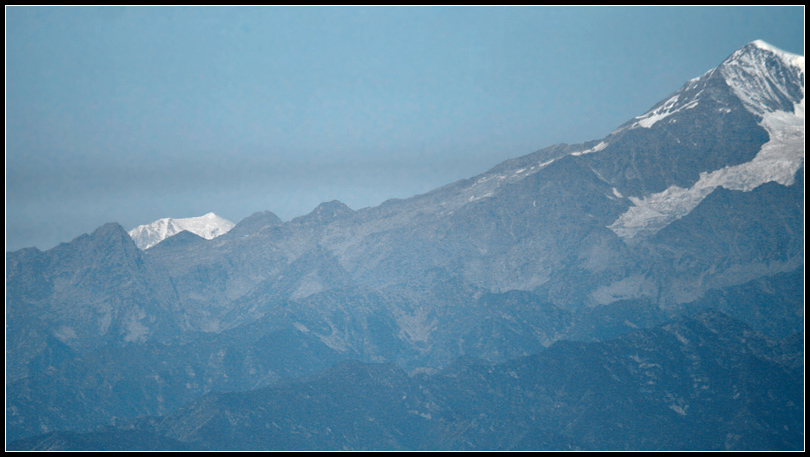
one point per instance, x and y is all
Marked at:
(700, 382)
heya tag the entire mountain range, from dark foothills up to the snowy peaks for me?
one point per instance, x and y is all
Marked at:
(641, 291)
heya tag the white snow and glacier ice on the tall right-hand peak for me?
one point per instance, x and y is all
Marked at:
(770, 84)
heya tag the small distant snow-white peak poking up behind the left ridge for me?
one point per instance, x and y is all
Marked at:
(208, 226)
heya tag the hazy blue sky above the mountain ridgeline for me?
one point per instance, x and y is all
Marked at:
(129, 115)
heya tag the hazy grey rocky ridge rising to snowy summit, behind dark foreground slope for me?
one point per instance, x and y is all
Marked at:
(697, 203)
